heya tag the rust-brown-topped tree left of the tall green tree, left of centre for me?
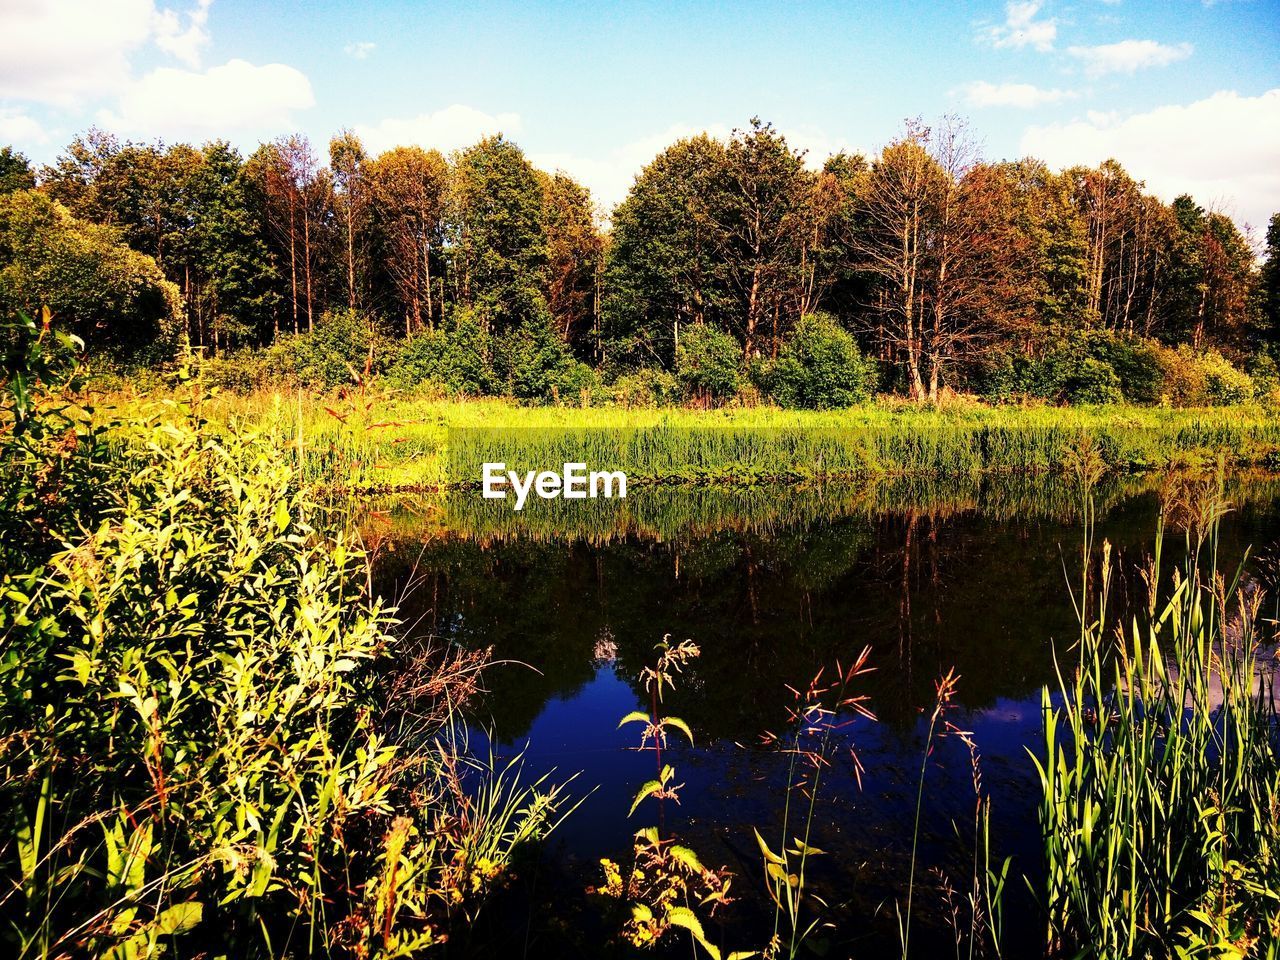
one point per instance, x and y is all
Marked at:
(408, 189)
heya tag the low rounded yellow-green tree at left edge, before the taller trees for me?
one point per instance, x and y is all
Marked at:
(94, 285)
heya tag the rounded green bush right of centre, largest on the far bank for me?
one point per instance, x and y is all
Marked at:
(820, 367)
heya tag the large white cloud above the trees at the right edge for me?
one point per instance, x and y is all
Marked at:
(1223, 150)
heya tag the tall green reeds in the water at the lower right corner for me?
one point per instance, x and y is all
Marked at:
(1160, 767)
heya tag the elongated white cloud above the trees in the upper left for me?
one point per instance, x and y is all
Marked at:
(236, 97)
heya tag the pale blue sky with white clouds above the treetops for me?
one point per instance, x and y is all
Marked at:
(1186, 94)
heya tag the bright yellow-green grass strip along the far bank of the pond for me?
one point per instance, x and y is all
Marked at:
(378, 444)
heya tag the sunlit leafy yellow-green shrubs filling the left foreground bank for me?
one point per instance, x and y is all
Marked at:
(200, 734)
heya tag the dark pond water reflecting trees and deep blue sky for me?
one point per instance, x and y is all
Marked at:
(775, 586)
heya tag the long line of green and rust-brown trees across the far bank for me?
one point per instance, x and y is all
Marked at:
(944, 267)
